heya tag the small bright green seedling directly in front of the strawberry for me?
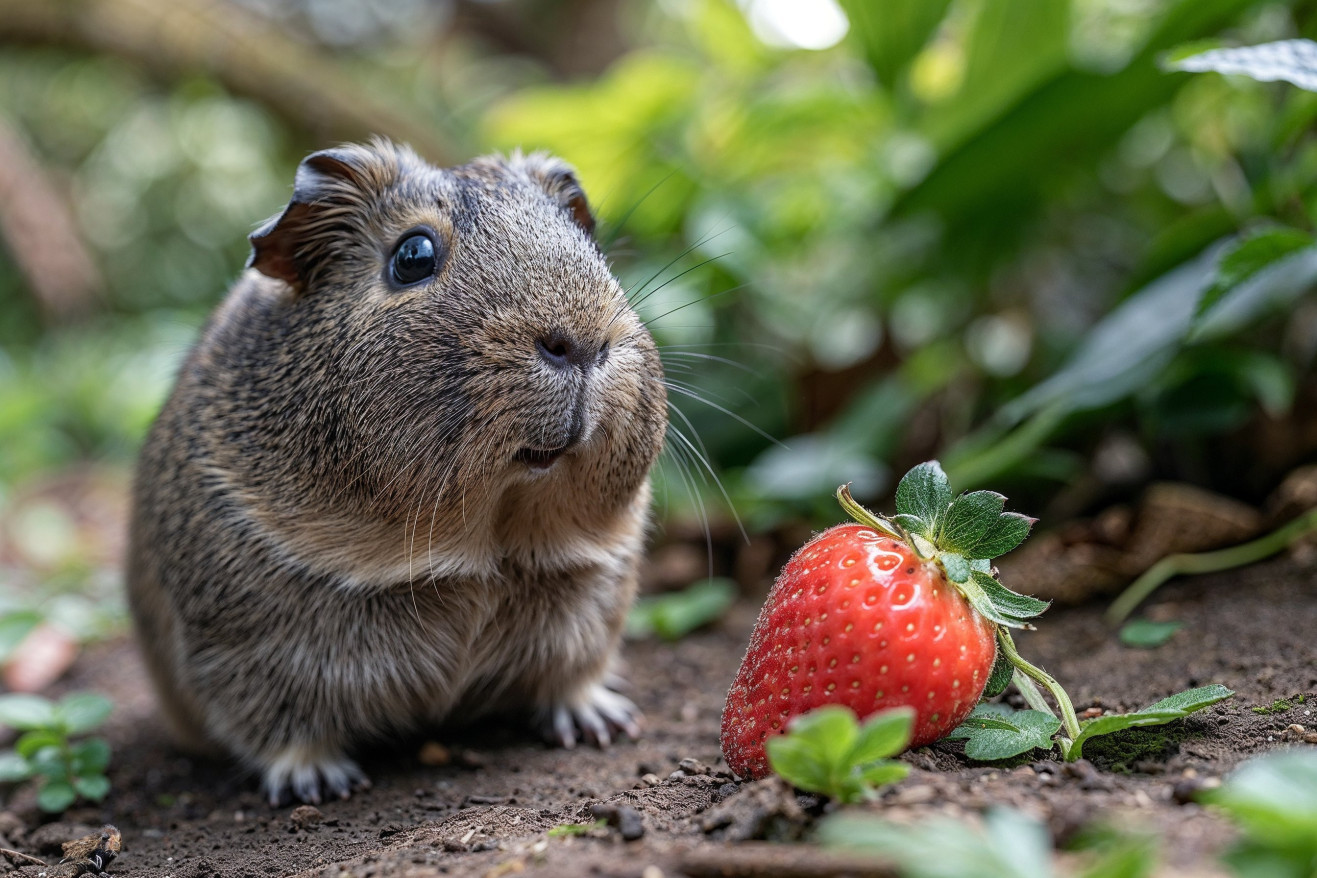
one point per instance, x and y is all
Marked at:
(829, 752)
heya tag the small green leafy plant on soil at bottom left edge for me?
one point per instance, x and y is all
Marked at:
(47, 752)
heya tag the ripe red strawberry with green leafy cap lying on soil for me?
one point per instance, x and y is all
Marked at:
(882, 614)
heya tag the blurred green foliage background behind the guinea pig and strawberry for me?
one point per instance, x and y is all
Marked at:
(865, 232)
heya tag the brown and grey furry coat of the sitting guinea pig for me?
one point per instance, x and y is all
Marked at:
(336, 535)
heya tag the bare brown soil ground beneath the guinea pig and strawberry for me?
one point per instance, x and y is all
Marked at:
(488, 810)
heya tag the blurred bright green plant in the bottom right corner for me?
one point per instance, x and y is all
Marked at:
(1274, 800)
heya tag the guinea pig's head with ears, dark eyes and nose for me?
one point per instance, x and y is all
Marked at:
(454, 340)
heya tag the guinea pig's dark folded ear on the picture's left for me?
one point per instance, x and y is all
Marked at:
(284, 245)
